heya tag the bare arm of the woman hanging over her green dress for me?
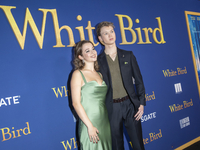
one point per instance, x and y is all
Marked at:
(76, 83)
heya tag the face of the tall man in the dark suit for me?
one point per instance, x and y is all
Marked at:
(107, 36)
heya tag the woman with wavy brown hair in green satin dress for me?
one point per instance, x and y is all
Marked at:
(88, 98)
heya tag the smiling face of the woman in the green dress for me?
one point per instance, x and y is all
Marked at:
(89, 54)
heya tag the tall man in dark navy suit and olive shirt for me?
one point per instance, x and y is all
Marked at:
(124, 104)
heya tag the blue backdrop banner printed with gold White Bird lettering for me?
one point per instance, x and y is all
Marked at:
(36, 53)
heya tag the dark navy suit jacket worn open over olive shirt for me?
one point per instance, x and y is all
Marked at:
(129, 70)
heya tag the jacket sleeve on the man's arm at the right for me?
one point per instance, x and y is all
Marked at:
(140, 89)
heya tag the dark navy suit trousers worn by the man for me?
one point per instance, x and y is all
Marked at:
(123, 112)
